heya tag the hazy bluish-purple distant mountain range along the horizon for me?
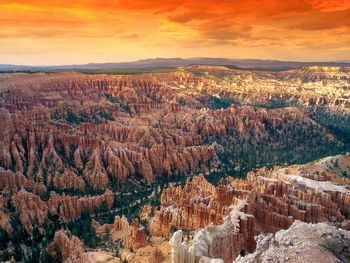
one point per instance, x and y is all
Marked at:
(177, 62)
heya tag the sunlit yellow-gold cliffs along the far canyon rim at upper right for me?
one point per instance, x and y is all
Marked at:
(307, 85)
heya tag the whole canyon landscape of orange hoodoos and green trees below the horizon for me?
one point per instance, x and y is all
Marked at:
(195, 164)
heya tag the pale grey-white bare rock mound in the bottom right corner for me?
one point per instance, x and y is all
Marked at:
(302, 242)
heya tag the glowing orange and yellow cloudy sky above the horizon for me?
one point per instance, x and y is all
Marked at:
(57, 32)
